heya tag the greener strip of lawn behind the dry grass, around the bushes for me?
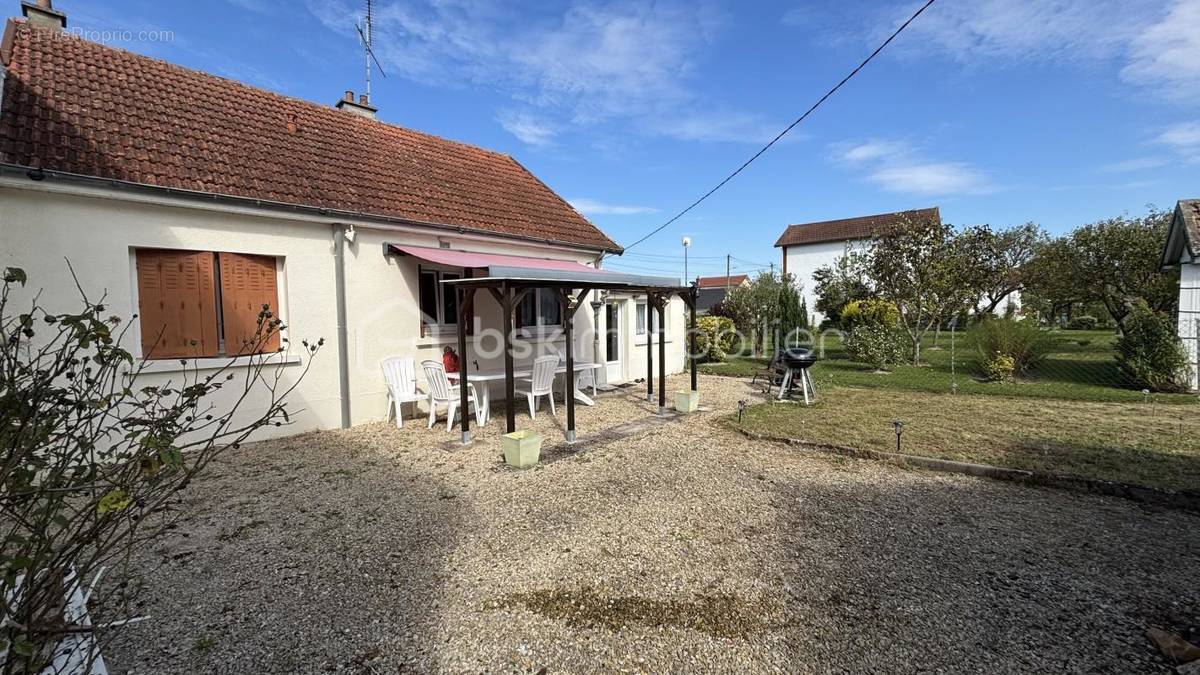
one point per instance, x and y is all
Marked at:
(1082, 368)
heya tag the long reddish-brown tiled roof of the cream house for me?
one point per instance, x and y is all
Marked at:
(81, 107)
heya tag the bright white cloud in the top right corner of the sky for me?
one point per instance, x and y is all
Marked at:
(1166, 56)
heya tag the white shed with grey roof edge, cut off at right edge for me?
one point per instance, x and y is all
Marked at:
(1183, 250)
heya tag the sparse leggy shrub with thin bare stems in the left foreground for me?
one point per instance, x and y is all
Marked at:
(91, 457)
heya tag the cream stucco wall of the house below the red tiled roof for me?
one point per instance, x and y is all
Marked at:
(99, 230)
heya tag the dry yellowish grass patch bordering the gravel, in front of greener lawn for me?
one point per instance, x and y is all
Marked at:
(1142, 444)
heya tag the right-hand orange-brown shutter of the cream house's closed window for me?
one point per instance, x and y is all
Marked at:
(248, 283)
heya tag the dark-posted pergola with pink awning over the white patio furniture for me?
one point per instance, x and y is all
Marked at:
(509, 279)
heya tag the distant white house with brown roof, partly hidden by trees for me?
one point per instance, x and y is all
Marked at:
(813, 246)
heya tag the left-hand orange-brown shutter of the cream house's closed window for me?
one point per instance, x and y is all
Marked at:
(177, 304)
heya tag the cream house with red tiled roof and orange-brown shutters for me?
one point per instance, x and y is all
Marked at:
(193, 200)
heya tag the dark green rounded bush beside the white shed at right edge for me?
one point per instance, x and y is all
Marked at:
(1150, 354)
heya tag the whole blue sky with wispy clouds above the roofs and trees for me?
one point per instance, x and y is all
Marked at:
(1059, 112)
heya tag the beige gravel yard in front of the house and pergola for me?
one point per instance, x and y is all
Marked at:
(674, 546)
